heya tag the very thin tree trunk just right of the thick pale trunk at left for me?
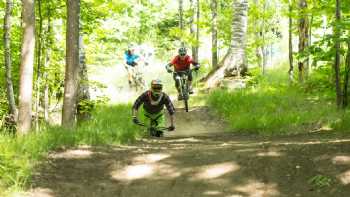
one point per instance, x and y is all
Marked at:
(38, 70)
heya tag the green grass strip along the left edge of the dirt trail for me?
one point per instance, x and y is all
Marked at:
(19, 155)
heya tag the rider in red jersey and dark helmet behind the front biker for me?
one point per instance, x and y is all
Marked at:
(182, 62)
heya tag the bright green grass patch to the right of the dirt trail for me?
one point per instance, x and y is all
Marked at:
(271, 106)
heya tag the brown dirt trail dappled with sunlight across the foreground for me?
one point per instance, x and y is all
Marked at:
(211, 165)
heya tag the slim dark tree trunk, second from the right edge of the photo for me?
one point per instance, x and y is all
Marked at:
(337, 55)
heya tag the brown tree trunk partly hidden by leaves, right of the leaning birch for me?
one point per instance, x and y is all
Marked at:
(303, 37)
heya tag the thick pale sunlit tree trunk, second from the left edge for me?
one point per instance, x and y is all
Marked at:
(26, 68)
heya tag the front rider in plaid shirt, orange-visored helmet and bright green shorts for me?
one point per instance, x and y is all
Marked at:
(153, 102)
